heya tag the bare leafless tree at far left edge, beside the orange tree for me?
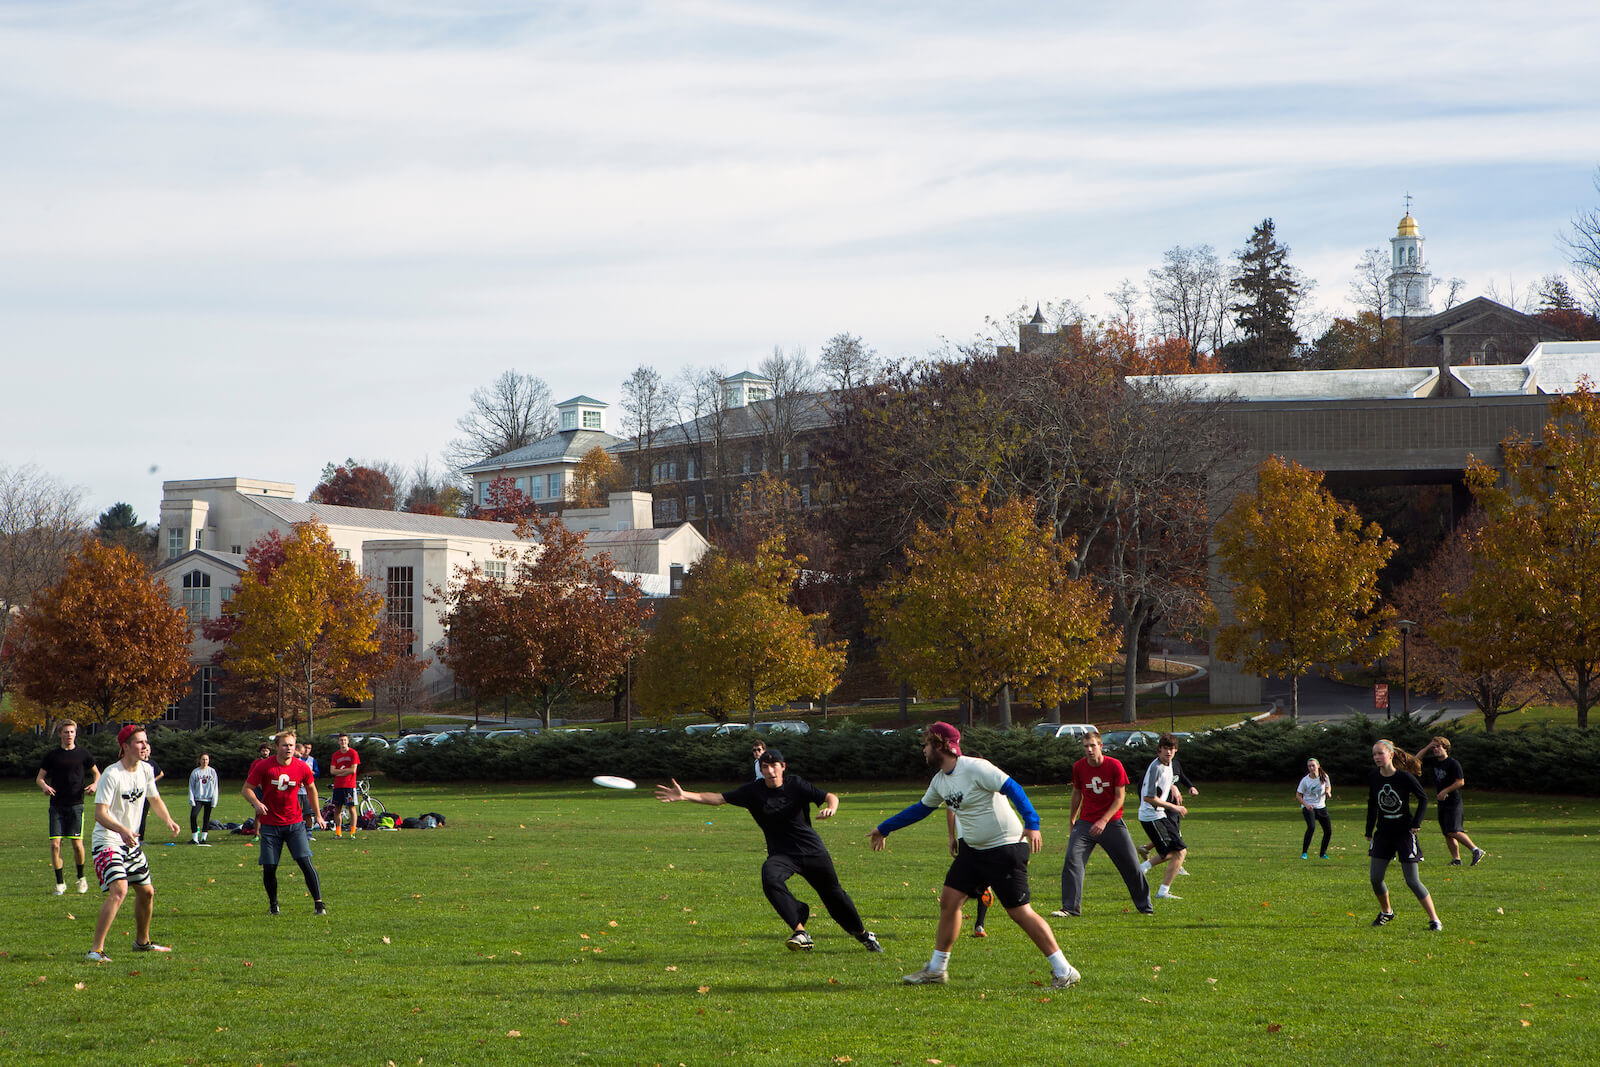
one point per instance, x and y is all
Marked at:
(41, 529)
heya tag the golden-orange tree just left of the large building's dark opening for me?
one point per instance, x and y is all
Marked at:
(1305, 578)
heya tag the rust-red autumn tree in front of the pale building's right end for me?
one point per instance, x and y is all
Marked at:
(559, 623)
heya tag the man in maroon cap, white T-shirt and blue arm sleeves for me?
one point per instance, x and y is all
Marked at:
(996, 844)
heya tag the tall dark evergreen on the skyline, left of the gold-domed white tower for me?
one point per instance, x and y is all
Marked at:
(1270, 290)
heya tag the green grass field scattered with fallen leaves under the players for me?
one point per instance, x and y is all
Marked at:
(559, 925)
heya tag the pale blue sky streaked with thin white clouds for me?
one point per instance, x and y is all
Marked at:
(246, 239)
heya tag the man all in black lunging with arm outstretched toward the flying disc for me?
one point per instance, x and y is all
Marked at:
(783, 809)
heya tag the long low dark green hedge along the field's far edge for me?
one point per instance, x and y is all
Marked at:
(1534, 761)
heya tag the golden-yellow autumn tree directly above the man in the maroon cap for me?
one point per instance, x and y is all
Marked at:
(990, 602)
